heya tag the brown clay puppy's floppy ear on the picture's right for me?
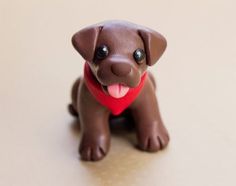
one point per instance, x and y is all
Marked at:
(154, 43)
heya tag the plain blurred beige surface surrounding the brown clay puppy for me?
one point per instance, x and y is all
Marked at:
(196, 79)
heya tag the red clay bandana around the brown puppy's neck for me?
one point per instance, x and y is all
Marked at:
(115, 105)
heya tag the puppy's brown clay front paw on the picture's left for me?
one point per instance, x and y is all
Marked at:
(93, 148)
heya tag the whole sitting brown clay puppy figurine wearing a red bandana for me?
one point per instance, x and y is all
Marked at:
(117, 55)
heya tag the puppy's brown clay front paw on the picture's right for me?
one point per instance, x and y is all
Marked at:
(153, 139)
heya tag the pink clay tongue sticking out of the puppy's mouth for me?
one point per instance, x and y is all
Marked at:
(117, 90)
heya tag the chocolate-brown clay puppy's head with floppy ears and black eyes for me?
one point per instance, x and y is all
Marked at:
(119, 52)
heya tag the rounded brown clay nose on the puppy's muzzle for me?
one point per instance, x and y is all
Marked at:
(120, 69)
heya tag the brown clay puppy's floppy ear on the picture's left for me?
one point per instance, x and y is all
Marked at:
(84, 41)
